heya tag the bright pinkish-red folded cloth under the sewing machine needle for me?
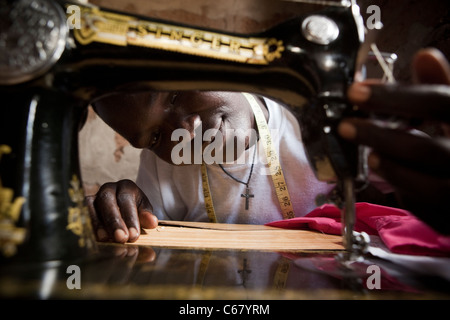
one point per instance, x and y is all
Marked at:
(400, 230)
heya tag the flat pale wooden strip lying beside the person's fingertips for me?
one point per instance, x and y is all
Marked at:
(237, 237)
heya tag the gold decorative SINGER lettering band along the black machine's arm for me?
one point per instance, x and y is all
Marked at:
(122, 30)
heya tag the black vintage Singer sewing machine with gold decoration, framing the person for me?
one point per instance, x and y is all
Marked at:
(57, 57)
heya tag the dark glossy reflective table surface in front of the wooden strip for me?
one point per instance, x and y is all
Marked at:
(117, 271)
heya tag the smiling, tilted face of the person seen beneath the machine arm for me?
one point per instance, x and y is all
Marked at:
(147, 120)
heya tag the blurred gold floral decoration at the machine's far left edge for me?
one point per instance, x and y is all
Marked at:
(10, 235)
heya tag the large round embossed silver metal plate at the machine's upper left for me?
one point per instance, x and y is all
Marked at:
(32, 39)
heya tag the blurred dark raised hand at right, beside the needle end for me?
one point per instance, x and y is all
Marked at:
(418, 166)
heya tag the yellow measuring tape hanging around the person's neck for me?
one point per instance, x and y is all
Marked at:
(273, 162)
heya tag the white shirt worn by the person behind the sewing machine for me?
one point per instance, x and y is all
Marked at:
(176, 192)
